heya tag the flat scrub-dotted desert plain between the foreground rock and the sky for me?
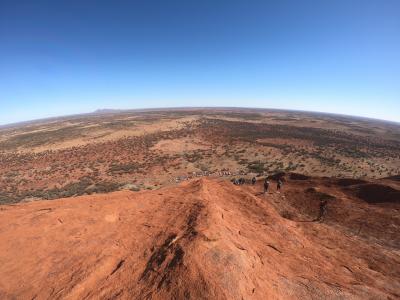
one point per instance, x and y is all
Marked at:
(140, 150)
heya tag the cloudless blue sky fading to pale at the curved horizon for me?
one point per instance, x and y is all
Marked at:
(66, 57)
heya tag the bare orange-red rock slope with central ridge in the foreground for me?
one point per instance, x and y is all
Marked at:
(204, 239)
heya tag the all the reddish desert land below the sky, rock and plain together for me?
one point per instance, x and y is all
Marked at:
(143, 207)
